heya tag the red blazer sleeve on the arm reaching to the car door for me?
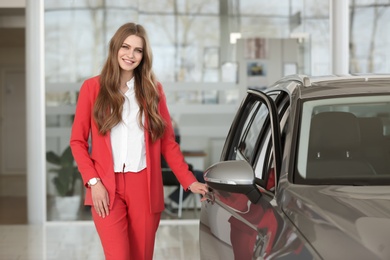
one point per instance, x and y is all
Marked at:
(170, 149)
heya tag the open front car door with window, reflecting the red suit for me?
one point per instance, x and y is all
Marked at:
(237, 221)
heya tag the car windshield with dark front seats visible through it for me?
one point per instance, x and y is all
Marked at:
(345, 141)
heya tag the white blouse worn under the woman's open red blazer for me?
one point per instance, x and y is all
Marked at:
(127, 137)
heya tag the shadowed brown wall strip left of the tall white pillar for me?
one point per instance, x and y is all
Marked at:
(13, 188)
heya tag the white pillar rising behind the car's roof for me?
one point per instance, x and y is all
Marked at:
(339, 34)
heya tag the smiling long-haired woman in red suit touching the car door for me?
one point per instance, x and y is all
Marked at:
(124, 113)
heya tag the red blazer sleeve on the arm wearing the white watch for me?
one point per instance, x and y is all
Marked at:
(81, 130)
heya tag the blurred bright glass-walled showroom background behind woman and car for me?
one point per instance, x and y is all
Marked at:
(207, 53)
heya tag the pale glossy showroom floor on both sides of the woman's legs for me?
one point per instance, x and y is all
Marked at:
(176, 238)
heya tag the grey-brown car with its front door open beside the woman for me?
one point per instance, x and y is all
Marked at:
(304, 173)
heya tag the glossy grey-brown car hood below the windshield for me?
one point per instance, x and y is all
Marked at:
(342, 217)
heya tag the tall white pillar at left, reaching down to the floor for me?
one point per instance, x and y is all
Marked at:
(35, 104)
